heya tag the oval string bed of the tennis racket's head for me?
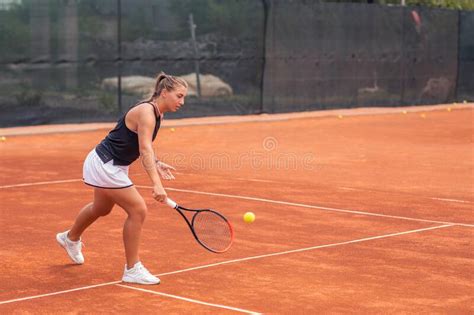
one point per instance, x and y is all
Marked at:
(212, 230)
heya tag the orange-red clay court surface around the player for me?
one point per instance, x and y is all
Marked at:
(333, 199)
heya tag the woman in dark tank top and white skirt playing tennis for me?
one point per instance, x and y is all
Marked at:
(106, 170)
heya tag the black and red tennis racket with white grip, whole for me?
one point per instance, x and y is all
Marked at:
(210, 228)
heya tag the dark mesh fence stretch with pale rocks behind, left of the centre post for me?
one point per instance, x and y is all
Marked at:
(60, 59)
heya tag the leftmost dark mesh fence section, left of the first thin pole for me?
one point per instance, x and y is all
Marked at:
(53, 59)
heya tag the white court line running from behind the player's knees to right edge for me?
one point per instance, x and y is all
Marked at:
(302, 205)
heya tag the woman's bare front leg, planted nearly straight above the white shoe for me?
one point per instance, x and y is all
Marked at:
(132, 202)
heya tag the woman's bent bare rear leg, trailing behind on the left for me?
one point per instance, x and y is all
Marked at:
(101, 206)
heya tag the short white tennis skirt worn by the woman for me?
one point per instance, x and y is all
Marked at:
(104, 175)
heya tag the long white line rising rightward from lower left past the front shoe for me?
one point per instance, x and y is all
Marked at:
(235, 261)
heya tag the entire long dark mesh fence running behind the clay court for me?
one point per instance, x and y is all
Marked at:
(61, 60)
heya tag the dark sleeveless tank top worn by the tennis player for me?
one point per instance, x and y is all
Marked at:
(121, 144)
